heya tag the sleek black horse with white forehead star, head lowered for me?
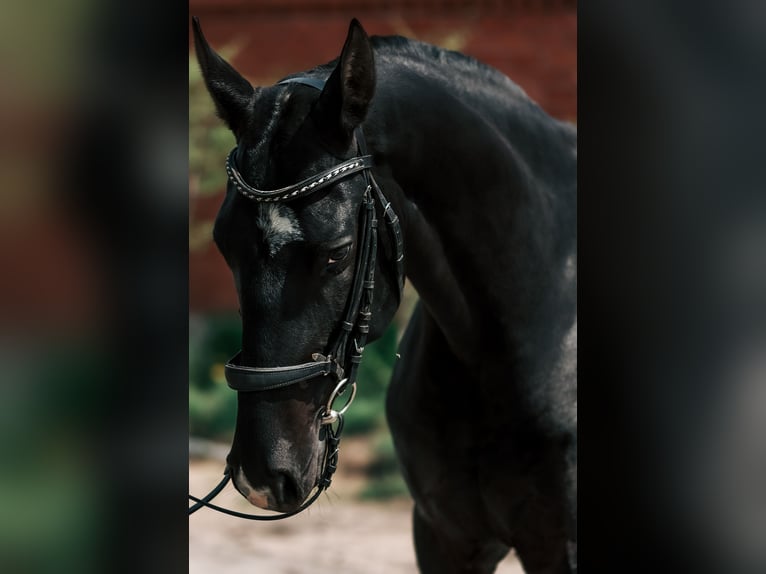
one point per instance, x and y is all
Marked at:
(482, 405)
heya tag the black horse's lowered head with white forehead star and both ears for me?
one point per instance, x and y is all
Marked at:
(295, 258)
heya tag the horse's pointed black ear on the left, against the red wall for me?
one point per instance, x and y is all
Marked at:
(231, 93)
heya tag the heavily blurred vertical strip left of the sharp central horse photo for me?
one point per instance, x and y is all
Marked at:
(93, 288)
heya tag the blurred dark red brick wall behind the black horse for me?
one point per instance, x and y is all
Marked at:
(534, 42)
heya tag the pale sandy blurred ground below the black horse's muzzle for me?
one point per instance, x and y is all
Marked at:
(339, 534)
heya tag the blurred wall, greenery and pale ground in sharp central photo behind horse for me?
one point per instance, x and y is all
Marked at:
(534, 43)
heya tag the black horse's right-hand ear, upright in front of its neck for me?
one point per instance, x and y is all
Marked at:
(349, 89)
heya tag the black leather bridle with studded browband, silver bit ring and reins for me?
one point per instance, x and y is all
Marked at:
(342, 360)
